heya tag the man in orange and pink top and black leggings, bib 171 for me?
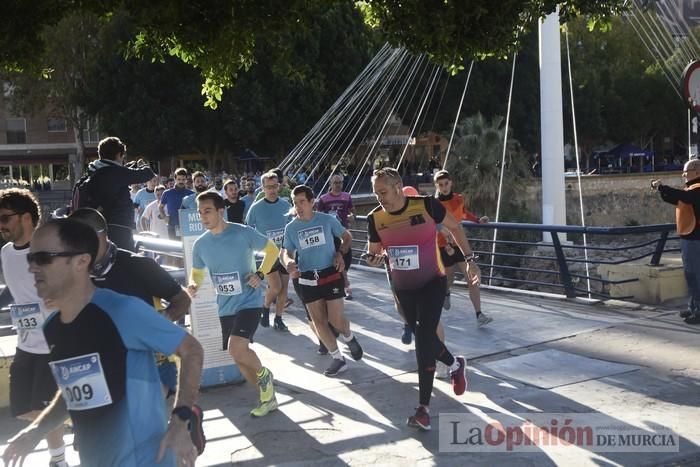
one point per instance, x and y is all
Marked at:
(404, 229)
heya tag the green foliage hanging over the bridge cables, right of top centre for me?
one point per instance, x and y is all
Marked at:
(451, 31)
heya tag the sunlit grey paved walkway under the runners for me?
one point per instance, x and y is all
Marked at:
(572, 357)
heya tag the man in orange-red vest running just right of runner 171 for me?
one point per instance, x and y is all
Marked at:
(451, 256)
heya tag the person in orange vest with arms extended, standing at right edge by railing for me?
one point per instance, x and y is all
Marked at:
(687, 202)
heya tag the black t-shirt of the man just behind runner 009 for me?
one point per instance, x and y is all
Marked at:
(140, 277)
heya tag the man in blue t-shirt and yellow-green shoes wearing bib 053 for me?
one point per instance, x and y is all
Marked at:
(227, 250)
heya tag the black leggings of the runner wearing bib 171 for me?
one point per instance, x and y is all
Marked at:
(422, 309)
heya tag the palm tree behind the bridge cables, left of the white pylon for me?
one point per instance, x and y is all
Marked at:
(475, 163)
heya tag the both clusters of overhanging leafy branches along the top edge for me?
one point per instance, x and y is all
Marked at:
(220, 39)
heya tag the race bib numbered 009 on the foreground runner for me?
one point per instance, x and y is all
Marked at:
(82, 382)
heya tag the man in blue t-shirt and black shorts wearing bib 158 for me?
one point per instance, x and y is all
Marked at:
(310, 256)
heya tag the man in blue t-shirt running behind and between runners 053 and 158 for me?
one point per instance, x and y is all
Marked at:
(269, 216)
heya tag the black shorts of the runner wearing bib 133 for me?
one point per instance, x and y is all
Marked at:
(32, 386)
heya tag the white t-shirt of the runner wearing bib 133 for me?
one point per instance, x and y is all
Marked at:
(28, 310)
